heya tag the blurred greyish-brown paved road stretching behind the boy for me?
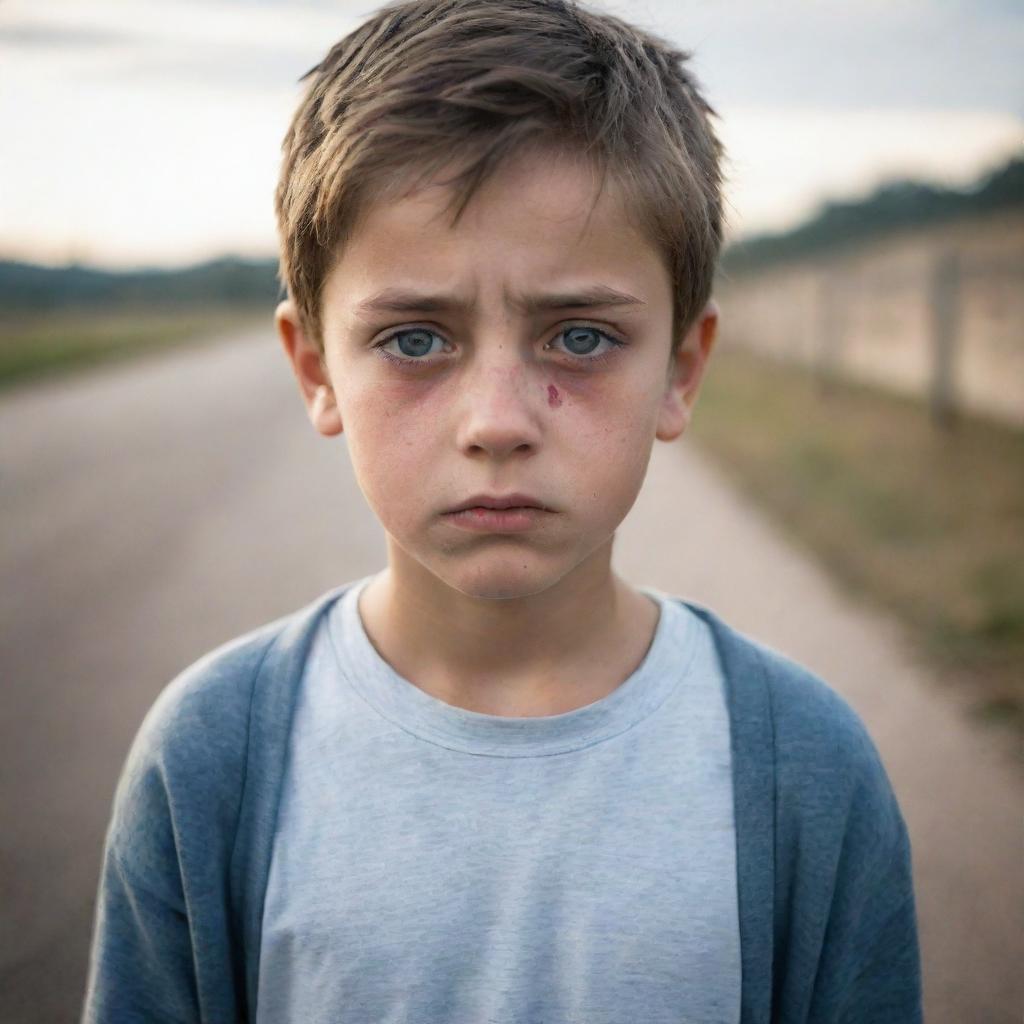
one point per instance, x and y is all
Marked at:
(153, 510)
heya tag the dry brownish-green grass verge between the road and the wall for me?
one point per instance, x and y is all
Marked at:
(928, 523)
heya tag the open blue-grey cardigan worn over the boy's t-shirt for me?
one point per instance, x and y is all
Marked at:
(827, 912)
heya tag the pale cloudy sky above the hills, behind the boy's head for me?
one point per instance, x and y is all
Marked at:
(148, 133)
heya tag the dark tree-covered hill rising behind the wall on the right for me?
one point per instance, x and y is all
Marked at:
(894, 207)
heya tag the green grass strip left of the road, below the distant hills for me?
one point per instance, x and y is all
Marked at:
(45, 345)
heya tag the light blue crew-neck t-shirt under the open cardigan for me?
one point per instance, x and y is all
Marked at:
(437, 865)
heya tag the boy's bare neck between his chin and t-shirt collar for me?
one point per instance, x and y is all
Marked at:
(547, 655)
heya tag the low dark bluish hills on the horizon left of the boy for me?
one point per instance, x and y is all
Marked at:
(27, 287)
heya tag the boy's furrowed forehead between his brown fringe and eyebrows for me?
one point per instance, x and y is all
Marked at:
(539, 221)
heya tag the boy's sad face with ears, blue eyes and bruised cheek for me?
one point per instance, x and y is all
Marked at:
(534, 340)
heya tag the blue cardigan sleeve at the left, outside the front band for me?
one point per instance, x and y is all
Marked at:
(165, 945)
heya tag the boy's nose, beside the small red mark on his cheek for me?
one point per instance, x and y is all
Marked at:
(498, 411)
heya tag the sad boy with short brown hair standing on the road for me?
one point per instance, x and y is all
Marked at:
(495, 783)
